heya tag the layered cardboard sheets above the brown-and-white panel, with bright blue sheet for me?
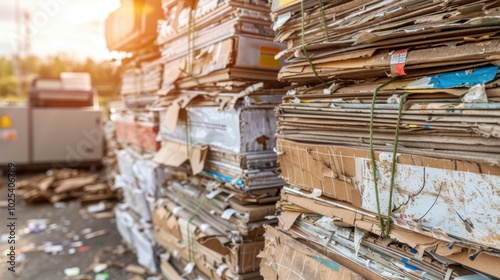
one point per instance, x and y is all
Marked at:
(442, 55)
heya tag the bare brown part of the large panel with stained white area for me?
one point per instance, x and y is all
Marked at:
(332, 168)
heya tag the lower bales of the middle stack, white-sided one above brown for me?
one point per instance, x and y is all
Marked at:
(211, 216)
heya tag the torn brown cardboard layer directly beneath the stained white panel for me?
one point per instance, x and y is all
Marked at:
(442, 248)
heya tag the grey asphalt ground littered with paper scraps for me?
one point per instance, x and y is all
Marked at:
(65, 223)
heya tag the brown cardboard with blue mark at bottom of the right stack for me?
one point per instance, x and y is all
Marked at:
(291, 259)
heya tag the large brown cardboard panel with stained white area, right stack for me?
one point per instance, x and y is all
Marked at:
(345, 174)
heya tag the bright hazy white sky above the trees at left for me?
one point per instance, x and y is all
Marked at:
(73, 27)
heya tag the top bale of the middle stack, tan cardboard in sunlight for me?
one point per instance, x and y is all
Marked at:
(212, 45)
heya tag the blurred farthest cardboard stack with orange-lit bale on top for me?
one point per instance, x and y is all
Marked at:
(132, 29)
